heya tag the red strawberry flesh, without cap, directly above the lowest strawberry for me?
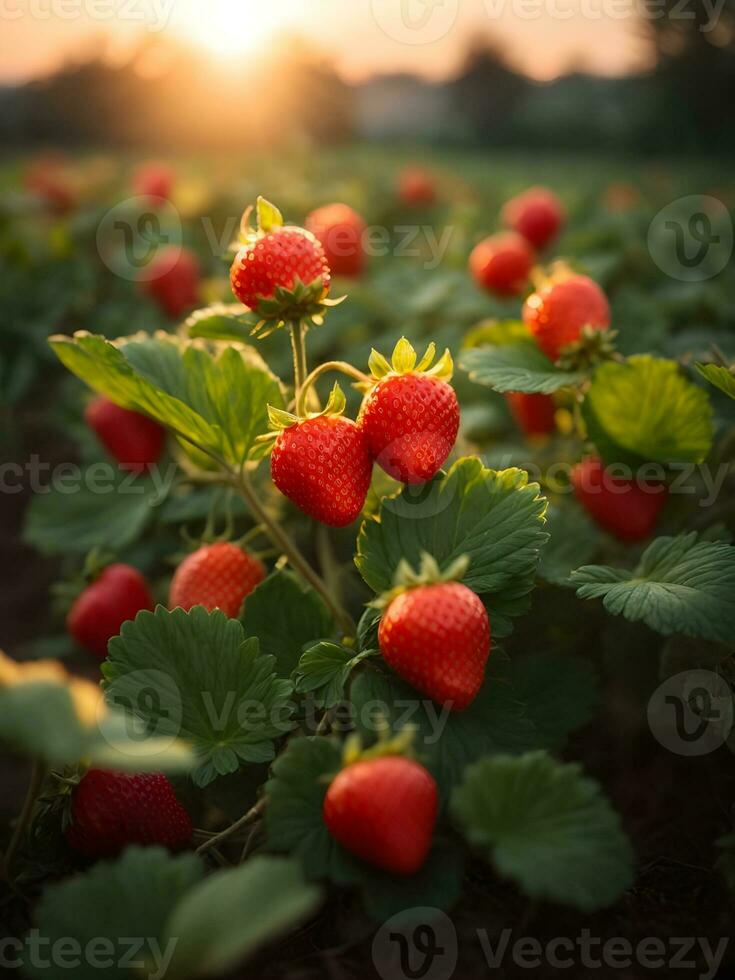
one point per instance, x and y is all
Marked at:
(437, 637)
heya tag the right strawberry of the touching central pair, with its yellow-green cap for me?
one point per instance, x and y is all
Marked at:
(410, 417)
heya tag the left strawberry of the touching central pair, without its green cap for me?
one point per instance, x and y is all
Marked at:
(323, 466)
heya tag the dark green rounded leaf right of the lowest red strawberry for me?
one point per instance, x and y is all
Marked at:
(547, 827)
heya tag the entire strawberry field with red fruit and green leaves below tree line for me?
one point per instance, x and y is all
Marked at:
(369, 580)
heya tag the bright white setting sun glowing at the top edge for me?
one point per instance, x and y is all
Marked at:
(232, 28)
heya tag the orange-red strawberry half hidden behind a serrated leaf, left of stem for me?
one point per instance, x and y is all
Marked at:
(216, 576)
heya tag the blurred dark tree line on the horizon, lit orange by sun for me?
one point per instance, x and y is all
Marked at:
(178, 98)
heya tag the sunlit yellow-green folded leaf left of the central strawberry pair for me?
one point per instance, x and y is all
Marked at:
(215, 402)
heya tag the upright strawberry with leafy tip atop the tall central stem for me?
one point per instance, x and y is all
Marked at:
(281, 271)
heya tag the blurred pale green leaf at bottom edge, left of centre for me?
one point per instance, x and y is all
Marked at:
(228, 916)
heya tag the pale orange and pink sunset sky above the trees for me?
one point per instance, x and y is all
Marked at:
(544, 38)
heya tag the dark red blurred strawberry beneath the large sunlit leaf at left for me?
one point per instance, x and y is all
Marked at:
(134, 440)
